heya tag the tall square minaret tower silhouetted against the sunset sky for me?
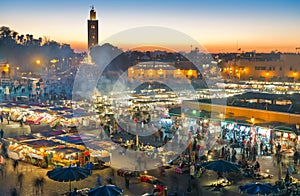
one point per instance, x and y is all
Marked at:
(92, 30)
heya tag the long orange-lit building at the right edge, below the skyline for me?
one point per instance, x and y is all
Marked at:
(286, 68)
